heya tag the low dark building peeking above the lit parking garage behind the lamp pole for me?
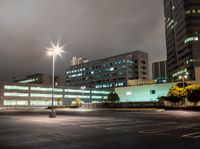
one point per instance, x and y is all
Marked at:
(41, 79)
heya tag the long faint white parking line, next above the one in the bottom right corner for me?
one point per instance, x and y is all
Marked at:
(170, 128)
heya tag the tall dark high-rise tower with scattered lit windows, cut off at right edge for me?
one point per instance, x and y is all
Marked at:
(182, 23)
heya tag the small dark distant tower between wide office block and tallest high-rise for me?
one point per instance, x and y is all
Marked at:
(159, 72)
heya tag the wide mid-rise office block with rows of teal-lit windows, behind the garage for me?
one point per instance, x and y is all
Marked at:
(109, 72)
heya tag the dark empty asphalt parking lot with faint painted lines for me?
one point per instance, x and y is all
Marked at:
(100, 129)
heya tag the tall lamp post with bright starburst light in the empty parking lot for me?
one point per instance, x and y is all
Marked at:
(54, 51)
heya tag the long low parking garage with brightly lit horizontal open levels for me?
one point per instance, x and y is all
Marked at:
(18, 94)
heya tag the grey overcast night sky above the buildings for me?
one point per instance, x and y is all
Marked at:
(92, 29)
